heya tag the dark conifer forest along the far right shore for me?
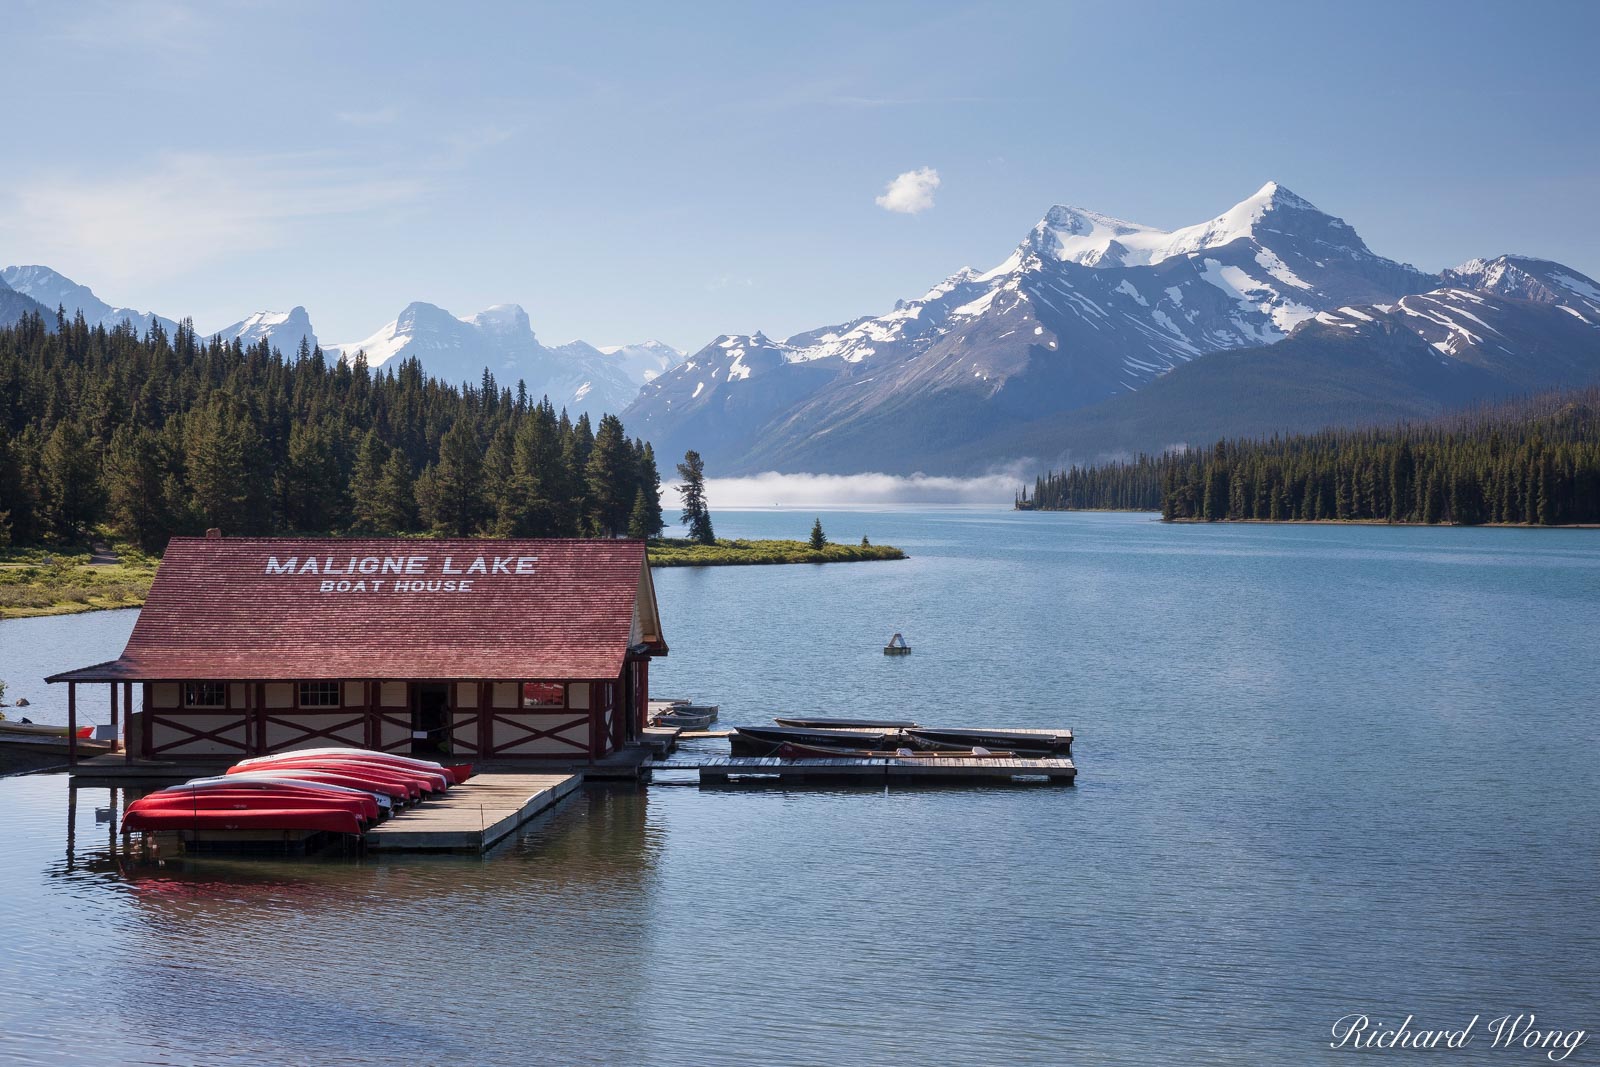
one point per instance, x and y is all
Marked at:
(1535, 462)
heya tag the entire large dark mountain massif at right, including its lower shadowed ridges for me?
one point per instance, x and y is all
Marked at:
(1100, 335)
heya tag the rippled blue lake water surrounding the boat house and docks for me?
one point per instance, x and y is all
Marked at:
(1322, 772)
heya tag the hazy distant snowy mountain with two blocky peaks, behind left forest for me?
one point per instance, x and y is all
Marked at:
(575, 377)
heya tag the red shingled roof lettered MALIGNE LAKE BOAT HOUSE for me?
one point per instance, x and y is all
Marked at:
(238, 609)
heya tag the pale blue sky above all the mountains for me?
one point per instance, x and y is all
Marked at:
(674, 172)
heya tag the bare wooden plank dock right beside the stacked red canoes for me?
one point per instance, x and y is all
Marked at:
(471, 818)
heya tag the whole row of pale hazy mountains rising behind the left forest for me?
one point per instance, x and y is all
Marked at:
(577, 377)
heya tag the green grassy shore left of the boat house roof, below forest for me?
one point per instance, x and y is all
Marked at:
(36, 581)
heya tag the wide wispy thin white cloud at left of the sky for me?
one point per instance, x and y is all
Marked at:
(185, 210)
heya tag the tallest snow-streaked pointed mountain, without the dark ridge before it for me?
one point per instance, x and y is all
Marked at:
(1084, 310)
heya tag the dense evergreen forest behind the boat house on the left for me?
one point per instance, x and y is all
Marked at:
(158, 436)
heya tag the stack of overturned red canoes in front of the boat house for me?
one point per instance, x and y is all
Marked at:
(311, 791)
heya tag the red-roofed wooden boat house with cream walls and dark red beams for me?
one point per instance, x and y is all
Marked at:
(473, 649)
